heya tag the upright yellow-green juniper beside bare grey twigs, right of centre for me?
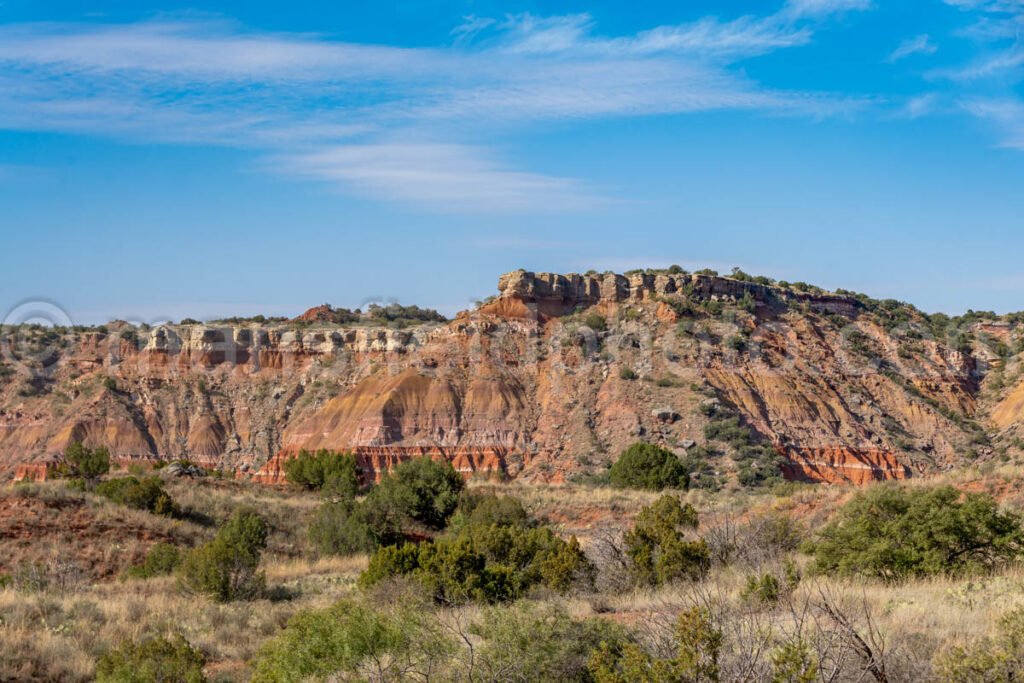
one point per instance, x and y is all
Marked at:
(658, 547)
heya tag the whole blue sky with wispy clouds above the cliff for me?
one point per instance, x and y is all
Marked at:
(160, 160)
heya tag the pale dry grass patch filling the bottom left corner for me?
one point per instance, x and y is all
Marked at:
(59, 636)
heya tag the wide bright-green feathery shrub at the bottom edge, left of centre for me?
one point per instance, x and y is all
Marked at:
(353, 643)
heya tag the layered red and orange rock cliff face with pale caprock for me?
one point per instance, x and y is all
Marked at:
(552, 377)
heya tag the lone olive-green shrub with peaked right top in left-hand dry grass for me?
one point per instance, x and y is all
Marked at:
(228, 568)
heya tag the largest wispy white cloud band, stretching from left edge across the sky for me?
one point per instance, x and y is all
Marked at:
(332, 110)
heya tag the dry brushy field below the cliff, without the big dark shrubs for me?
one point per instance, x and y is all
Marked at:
(758, 612)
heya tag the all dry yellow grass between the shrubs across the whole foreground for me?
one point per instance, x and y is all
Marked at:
(59, 635)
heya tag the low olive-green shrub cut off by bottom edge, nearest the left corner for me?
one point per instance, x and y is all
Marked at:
(152, 661)
